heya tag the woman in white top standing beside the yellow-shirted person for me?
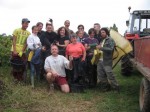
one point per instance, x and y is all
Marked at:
(34, 46)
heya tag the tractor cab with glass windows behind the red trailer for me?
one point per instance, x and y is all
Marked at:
(138, 24)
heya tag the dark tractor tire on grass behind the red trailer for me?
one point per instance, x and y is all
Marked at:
(126, 66)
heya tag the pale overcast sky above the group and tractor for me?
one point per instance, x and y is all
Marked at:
(86, 12)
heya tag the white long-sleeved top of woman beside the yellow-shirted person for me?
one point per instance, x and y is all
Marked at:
(33, 41)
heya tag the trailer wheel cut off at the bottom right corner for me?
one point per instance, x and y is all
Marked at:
(144, 98)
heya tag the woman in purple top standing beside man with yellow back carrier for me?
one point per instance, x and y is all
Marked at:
(90, 44)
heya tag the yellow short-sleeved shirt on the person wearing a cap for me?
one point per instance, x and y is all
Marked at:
(21, 37)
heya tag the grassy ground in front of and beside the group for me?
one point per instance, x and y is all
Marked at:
(22, 98)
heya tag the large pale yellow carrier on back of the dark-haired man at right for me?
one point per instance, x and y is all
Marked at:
(123, 46)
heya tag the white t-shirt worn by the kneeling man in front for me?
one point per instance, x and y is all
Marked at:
(57, 64)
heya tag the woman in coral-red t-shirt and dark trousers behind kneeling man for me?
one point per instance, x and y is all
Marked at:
(78, 52)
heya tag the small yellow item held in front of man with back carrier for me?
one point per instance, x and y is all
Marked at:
(96, 56)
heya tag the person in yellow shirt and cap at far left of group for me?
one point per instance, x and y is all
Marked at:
(19, 45)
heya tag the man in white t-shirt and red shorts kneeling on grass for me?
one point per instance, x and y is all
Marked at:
(55, 67)
